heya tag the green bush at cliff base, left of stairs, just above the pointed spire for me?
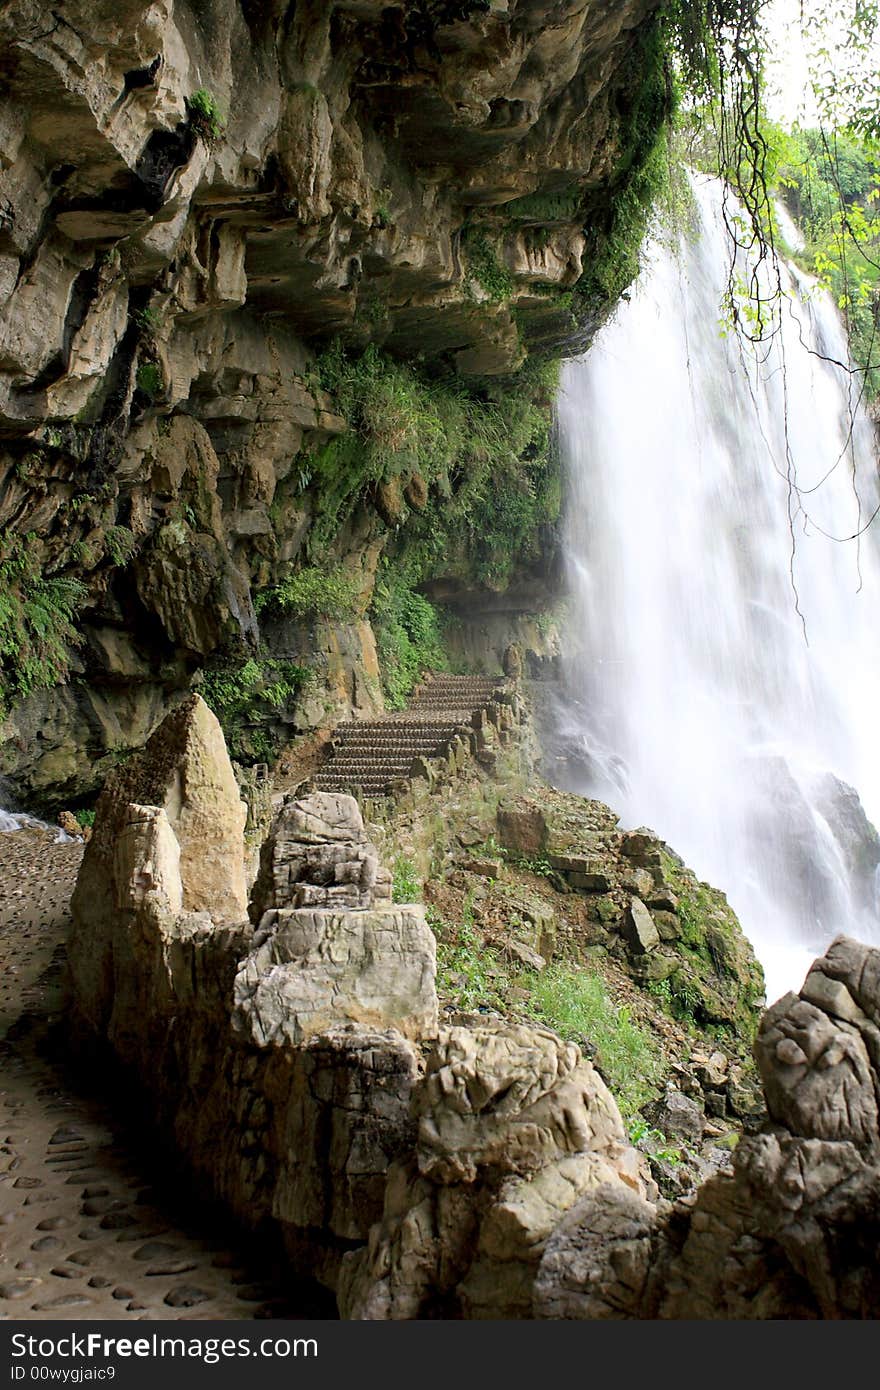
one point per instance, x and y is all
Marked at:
(244, 696)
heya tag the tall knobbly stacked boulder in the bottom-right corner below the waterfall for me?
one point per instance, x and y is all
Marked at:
(793, 1232)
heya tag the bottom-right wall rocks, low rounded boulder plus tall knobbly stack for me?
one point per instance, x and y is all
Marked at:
(792, 1229)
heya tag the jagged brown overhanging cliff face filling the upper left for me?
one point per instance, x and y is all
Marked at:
(191, 201)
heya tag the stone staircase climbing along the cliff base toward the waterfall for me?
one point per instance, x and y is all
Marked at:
(373, 758)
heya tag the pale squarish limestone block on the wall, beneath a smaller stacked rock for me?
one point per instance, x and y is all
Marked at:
(319, 968)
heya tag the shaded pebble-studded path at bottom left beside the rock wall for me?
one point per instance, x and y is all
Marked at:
(87, 1228)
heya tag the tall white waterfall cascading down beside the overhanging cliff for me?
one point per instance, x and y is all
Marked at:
(704, 705)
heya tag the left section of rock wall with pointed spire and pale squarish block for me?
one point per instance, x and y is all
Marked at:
(275, 1058)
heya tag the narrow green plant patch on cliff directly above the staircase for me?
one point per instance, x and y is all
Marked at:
(408, 636)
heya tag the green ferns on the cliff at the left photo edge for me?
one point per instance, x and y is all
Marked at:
(37, 623)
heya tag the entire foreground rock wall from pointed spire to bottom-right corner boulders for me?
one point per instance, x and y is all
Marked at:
(462, 1172)
